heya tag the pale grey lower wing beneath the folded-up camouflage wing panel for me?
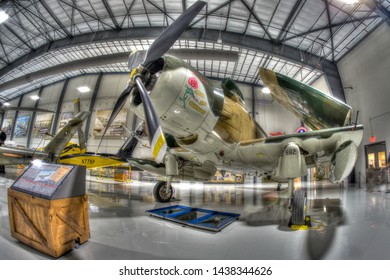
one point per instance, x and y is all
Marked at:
(335, 145)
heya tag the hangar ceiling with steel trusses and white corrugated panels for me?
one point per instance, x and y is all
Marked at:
(45, 41)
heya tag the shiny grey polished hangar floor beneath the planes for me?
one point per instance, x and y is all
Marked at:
(347, 223)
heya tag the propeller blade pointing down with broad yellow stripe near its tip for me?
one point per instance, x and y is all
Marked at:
(155, 134)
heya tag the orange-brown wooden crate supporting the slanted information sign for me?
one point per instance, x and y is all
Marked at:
(51, 226)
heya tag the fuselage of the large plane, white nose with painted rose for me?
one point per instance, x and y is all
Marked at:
(207, 121)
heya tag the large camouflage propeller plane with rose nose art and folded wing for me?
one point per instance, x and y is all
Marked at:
(195, 128)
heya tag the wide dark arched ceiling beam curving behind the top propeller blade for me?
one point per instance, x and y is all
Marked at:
(194, 34)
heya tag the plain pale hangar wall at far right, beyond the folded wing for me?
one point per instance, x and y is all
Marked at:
(366, 70)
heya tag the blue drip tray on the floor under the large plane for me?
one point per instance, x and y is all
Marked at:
(195, 217)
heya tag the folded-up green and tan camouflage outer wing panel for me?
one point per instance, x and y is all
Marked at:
(315, 108)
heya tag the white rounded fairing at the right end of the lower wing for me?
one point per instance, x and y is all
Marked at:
(343, 161)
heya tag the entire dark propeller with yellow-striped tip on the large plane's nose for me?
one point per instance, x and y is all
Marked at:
(159, 47)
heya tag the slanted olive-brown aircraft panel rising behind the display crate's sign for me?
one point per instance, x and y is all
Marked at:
(60, 140)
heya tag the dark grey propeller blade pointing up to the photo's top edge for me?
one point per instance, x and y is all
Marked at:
(166, 40)
